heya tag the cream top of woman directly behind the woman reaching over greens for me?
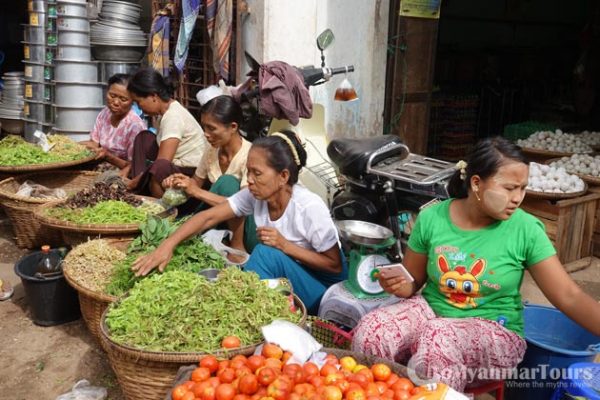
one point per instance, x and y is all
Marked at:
(209, 165)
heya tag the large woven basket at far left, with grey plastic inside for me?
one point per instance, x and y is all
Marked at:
(28, 231)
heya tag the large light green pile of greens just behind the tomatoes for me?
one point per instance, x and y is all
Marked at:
(181, 311)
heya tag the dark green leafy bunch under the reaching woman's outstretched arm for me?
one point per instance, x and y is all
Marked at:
(193, 255)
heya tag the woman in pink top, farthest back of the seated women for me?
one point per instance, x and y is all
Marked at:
(116, 126)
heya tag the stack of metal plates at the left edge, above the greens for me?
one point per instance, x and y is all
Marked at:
(11, 104)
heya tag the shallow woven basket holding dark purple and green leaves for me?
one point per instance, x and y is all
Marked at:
(74, 234)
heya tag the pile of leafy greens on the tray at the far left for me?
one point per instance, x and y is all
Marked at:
(15, 151)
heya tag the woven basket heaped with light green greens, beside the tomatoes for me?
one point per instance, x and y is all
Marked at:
(171, 319)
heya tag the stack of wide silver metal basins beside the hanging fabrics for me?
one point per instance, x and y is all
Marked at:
(117, 35)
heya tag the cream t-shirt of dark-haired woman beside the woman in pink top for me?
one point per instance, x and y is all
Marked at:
(178, 123)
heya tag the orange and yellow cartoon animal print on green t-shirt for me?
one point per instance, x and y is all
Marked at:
(460, 286)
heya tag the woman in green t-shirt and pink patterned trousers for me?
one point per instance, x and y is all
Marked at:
(470, 253)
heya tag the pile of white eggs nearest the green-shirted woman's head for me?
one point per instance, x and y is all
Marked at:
(549, 179)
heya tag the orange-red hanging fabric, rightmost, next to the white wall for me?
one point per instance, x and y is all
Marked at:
(219, 16)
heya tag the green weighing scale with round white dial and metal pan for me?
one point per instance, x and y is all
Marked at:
(370, 243)
